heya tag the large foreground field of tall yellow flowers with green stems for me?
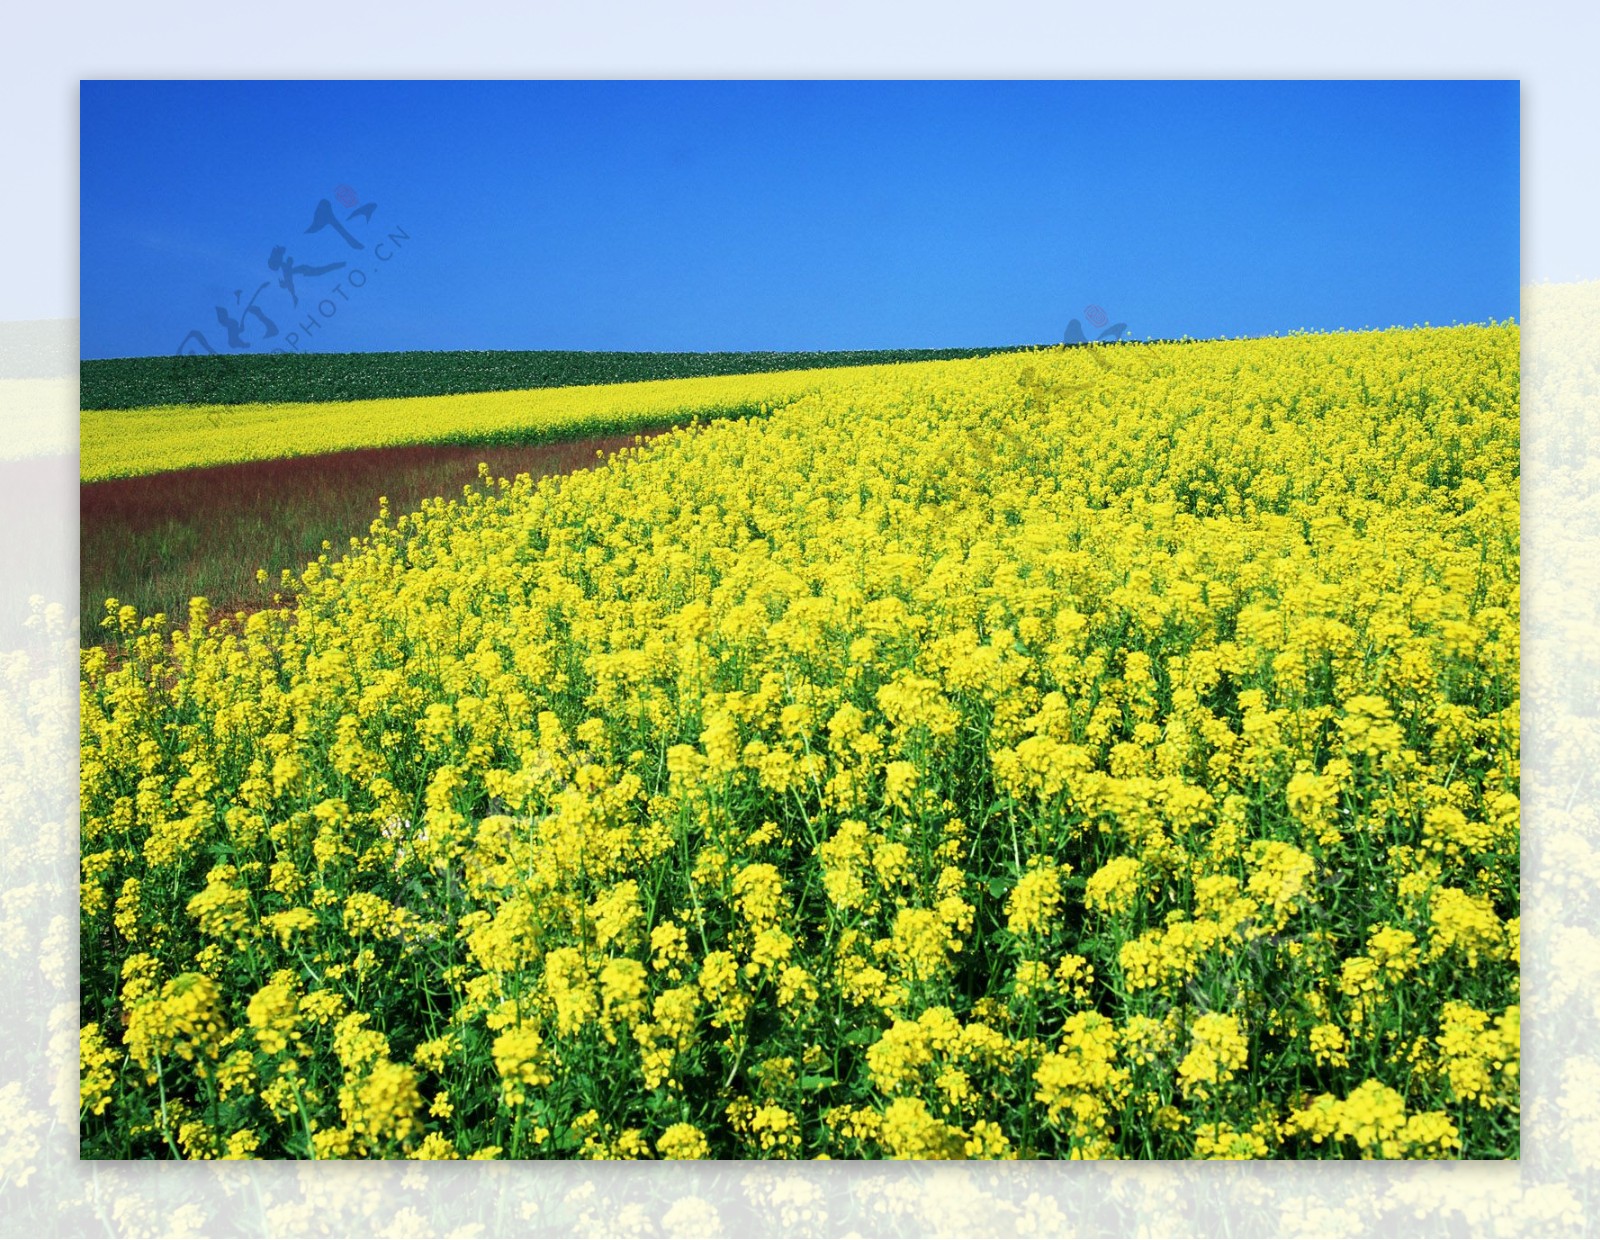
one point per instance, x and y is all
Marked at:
(1076, 754)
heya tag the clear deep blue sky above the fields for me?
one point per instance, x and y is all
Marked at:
(790, 215)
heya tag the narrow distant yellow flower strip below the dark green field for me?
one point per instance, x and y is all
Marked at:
(135, 442)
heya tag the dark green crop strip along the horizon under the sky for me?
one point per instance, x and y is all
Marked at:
(130, 383)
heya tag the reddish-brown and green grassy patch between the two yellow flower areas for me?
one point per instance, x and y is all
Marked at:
(159, 540)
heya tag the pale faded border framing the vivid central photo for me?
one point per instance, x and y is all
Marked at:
(1554, 1191)
